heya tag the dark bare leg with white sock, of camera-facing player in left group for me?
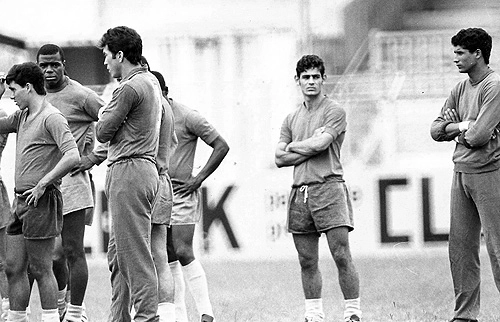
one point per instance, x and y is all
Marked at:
(74, 252)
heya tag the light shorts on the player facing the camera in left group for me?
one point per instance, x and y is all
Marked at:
(77, 192)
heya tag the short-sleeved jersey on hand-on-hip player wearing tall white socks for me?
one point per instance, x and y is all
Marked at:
(189, 126)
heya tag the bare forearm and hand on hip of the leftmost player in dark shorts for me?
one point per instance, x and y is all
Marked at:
(69, 160)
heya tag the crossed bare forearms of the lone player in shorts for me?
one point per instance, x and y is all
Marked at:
(296, 152)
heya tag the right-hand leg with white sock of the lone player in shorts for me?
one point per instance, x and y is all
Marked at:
(338, 242)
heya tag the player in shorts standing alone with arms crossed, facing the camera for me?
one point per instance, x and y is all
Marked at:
(310, 140)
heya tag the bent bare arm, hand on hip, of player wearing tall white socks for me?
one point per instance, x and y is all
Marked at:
(220, 150)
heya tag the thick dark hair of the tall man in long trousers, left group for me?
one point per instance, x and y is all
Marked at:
(123, 39)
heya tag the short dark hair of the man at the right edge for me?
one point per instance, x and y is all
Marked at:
(473, 39)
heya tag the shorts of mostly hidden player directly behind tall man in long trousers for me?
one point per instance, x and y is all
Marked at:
(162, 205)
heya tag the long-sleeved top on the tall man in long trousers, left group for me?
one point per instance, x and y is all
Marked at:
(131, 120)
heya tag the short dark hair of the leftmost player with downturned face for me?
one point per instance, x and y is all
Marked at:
(27, 73)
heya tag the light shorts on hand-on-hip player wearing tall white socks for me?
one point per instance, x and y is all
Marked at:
(187, 209)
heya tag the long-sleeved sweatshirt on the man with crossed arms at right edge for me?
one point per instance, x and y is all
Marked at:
(478, 102)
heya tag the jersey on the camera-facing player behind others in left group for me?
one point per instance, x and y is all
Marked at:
(80, 105)
